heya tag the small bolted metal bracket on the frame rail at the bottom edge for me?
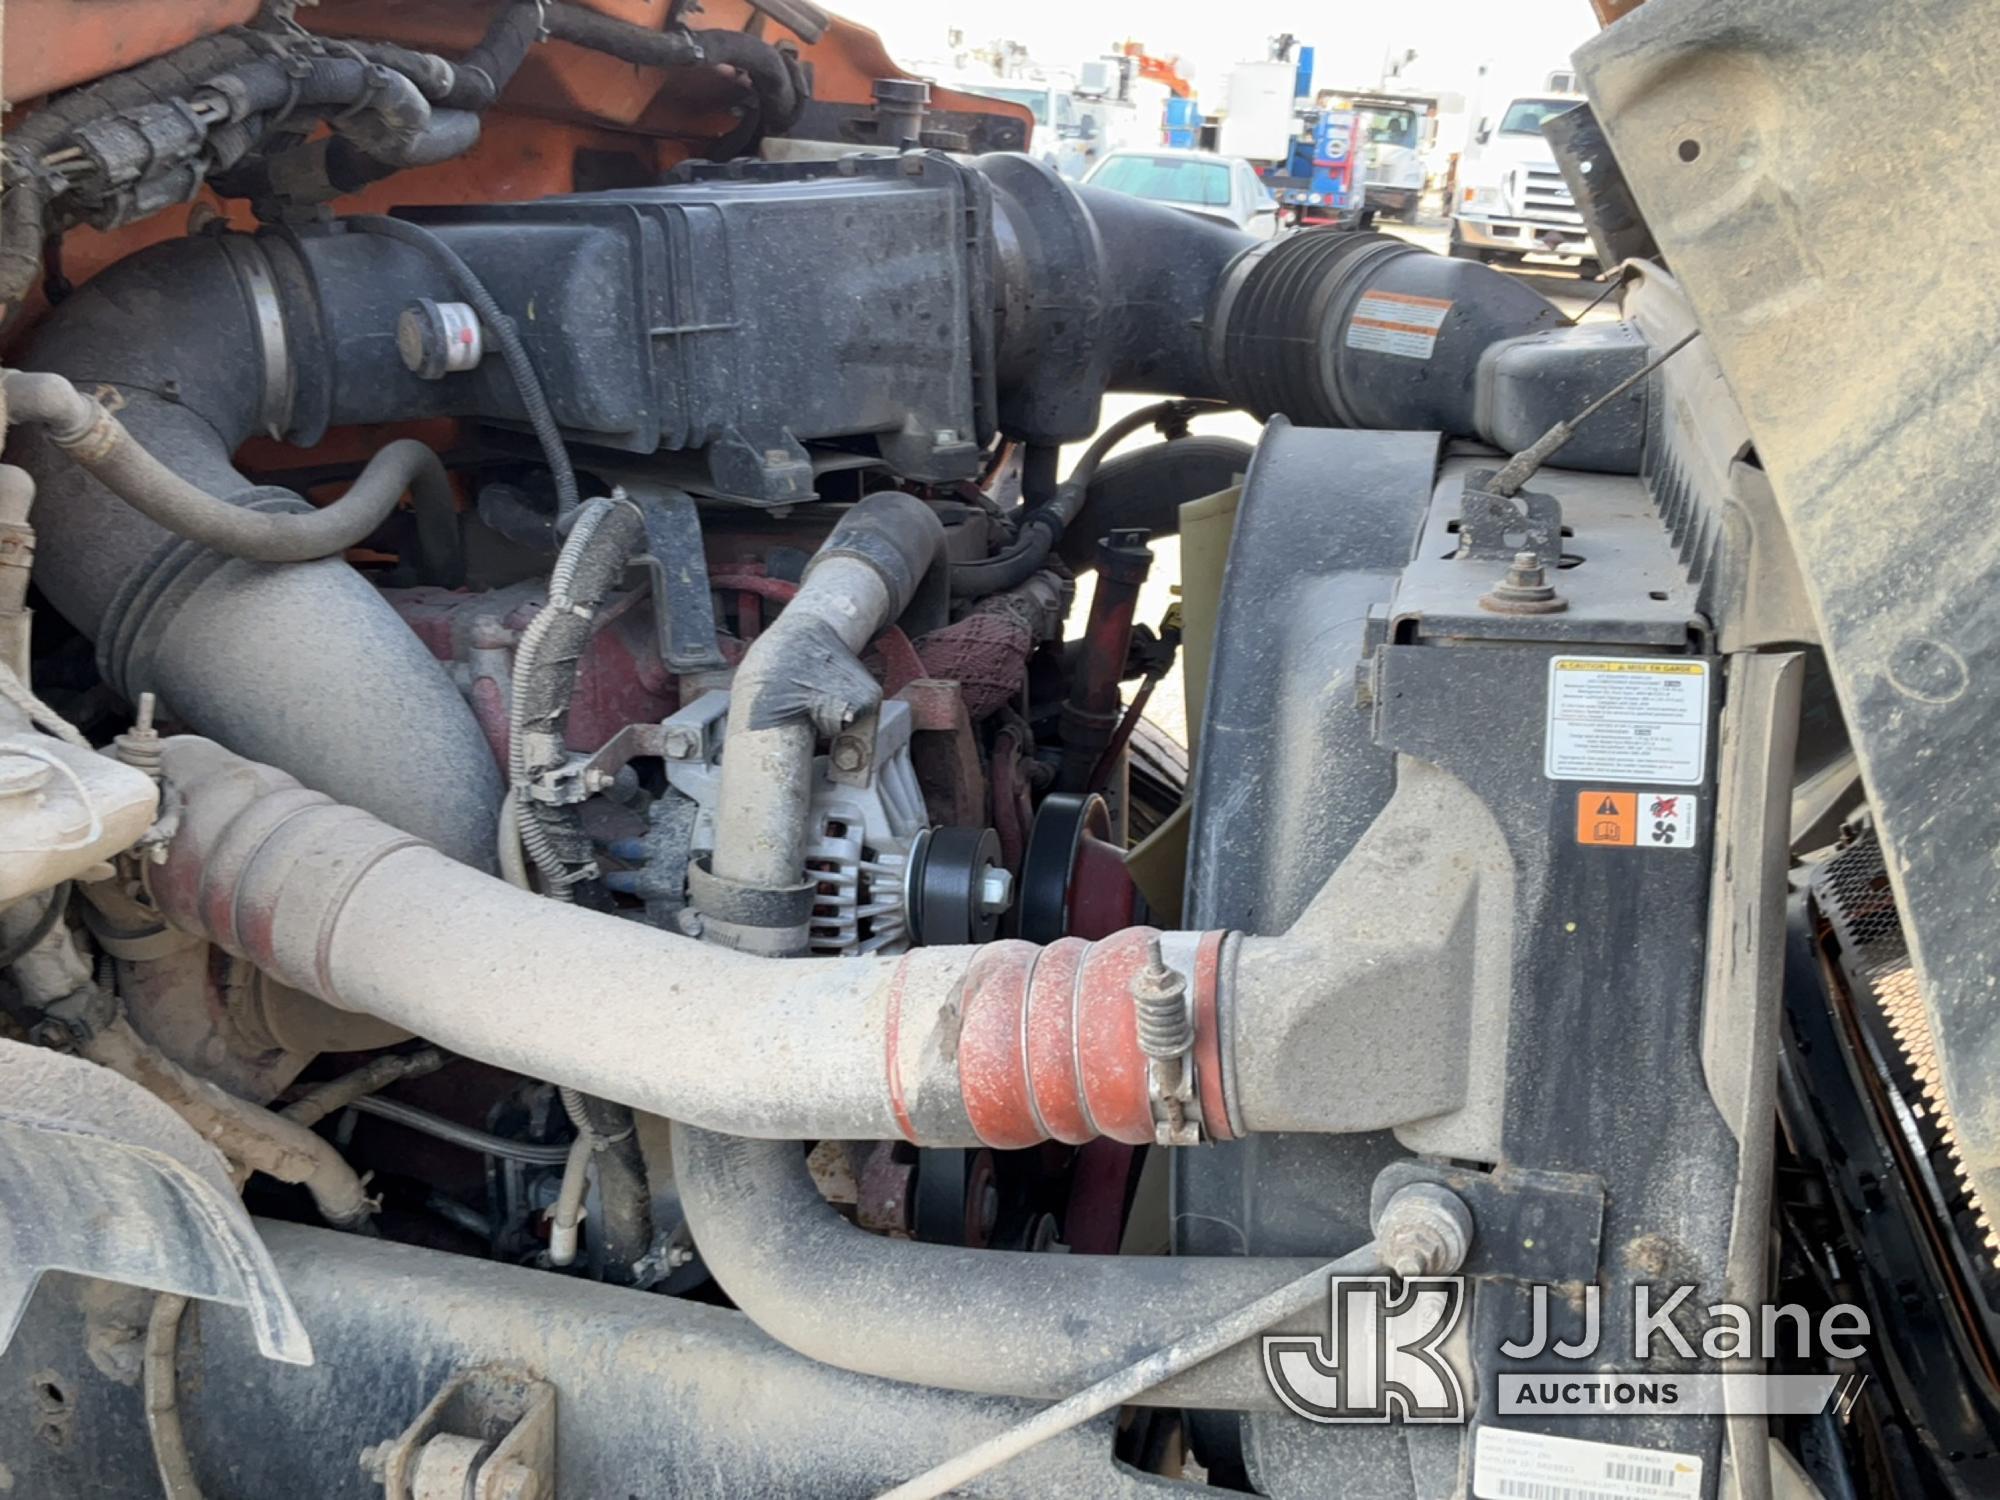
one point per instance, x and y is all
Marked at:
(487, 1435)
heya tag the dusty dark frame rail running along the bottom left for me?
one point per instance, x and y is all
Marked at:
(655, 1395)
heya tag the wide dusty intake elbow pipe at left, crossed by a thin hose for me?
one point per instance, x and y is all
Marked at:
(303, 663)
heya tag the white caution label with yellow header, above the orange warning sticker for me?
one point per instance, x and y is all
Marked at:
(1627, 719)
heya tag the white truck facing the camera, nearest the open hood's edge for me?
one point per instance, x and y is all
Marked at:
(1511, 205)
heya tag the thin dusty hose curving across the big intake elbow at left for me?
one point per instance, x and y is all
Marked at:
(103, 445)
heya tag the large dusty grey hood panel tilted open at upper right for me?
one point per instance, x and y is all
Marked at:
(1869, 375)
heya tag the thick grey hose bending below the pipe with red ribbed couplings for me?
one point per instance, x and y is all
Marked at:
(1001, 1323)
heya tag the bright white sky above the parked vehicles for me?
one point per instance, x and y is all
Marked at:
(1519, 39)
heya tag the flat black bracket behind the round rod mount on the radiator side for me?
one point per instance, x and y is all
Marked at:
(1529, 1227)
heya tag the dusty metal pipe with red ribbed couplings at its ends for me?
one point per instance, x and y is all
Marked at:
(997, 1045)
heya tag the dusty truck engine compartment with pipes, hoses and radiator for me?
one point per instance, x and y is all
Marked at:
(683, 935)
